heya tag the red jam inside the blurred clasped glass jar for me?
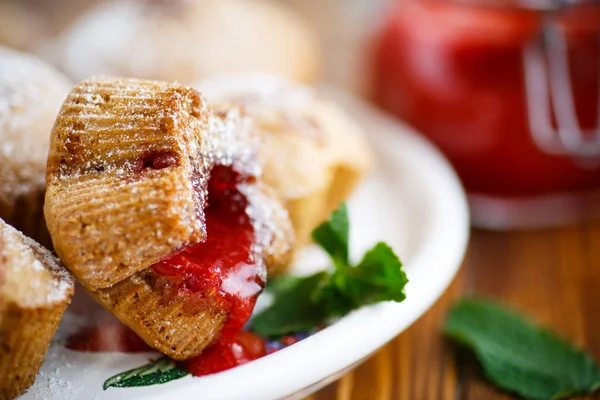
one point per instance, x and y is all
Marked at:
(456, 72)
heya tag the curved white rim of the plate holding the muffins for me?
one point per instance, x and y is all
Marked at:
(440, 259)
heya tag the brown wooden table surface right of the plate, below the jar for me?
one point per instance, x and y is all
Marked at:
(553, 275)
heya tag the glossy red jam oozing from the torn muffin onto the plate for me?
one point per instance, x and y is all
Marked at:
(224, 267)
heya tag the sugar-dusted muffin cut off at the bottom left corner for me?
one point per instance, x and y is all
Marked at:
(34, 292)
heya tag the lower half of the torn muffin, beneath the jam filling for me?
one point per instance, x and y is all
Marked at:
(181, 325)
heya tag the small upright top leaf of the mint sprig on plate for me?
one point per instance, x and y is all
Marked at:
(332, 235)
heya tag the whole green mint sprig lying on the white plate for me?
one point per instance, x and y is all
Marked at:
(301, 303)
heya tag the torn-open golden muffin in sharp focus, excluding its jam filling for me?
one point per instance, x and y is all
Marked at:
(129, 175)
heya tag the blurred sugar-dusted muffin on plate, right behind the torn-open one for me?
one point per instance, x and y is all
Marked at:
(312, 153)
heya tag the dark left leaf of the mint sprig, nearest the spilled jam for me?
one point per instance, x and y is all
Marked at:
(292, 310)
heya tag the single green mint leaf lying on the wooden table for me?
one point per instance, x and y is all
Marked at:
(519, 356)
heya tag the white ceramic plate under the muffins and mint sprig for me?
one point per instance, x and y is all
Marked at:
(413, 200)
